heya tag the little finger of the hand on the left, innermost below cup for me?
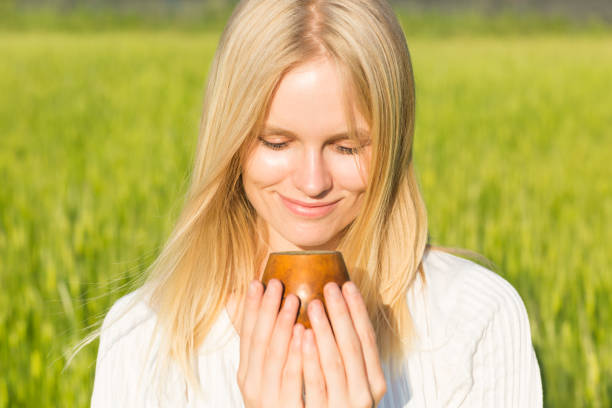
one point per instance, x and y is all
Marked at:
(292, 372)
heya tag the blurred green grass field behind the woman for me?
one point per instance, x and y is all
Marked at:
(99, 109)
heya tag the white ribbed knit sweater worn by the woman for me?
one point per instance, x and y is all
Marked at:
(474, 350)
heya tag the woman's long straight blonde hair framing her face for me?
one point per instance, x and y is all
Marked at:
(216, 246)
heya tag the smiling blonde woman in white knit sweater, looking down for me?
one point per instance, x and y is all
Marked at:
(306, 143)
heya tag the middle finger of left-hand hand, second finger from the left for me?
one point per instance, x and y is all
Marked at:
(260, 337)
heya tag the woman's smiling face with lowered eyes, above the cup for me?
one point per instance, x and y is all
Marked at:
(305, 179)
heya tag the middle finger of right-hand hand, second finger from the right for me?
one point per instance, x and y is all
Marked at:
(349, 345)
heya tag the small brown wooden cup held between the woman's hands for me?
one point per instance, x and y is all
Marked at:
(304, 273)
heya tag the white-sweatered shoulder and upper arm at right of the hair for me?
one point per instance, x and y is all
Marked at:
(473, 333)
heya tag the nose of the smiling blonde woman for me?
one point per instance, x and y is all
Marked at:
(311, 175)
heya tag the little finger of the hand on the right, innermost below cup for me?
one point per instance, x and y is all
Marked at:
(314, 382)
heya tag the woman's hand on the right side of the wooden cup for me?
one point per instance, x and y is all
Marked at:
(344, 371)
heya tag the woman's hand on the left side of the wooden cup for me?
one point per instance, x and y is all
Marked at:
(270, 369)
